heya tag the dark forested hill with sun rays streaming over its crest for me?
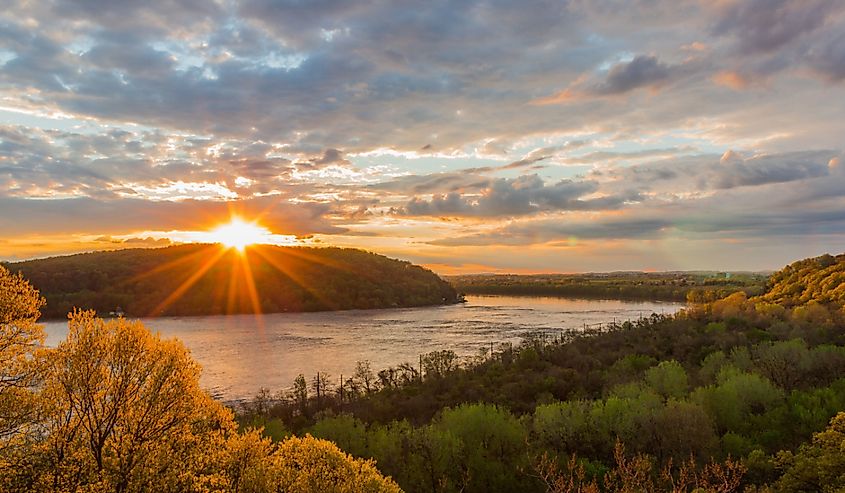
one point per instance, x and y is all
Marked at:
(209, 280)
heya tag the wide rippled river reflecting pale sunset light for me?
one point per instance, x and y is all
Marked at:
(241, 353)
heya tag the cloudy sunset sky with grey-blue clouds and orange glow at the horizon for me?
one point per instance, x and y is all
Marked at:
(468, 136)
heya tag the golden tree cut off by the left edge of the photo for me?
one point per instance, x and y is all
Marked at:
(19, 338)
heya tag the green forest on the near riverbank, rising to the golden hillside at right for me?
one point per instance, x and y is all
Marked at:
(739, 394)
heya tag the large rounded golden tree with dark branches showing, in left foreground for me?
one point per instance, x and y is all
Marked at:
(123, 411)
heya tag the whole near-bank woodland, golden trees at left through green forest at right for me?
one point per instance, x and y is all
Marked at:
(745, 393)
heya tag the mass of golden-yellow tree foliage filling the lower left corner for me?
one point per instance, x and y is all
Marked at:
(115, 408)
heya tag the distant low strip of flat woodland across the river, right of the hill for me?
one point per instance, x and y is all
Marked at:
(665, 286)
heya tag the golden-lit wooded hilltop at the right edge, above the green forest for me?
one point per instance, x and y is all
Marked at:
(820, 279)
